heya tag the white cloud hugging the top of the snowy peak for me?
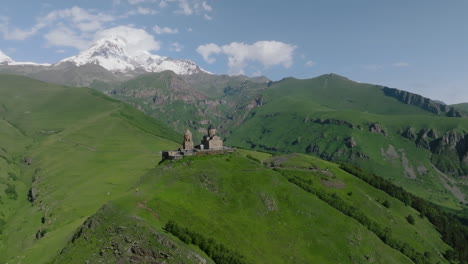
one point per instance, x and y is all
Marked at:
(137, 39)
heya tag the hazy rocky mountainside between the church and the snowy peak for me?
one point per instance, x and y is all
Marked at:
(190, 101)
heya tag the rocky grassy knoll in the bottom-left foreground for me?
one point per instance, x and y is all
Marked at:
(111, 236)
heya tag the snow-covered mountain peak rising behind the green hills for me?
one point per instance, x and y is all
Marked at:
(114, 55)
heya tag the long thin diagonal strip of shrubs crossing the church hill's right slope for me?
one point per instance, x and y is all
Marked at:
(385, 234)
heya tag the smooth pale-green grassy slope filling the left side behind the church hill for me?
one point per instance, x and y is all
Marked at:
(85, 149)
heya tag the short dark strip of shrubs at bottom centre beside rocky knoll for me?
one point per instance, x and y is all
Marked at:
(219, 253)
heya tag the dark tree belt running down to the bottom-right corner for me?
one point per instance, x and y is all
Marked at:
(452, 230)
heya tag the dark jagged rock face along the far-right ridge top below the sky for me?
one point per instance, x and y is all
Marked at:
(423, 102)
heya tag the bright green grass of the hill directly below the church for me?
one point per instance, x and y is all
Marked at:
(255, 210)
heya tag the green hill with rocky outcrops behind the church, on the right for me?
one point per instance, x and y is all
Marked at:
(337, 119)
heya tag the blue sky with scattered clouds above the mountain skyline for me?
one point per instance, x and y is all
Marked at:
(419, 46)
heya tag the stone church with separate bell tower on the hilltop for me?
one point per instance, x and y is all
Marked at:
(211, 145)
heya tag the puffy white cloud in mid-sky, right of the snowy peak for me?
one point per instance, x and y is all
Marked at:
(268, 53)
